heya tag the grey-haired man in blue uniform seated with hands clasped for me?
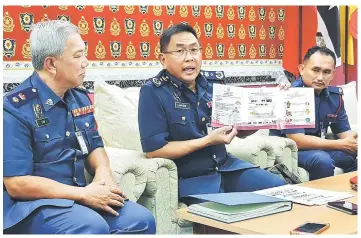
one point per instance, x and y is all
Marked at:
(50, 135)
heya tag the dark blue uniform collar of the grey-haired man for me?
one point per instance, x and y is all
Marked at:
(47, 97)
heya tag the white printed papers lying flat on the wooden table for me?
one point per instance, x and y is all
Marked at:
(304, 195)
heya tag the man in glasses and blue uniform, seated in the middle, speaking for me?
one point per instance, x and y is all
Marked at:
(174, 109)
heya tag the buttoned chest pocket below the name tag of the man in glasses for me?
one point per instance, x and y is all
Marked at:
(182, 125)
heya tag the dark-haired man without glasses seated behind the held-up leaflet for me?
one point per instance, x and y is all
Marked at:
(316, 154)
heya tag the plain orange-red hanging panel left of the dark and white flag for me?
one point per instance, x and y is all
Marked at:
(294, 47)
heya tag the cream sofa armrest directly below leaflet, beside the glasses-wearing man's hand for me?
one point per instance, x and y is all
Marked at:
(254, 149)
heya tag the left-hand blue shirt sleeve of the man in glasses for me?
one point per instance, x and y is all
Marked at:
(152, 120)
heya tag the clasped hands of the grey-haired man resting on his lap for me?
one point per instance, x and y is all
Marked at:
(99, 196)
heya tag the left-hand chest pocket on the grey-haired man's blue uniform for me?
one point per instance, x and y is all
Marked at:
(48, 143)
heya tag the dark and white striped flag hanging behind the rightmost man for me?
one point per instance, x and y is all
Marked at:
(328, 30)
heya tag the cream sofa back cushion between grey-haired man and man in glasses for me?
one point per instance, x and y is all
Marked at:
(117, 116)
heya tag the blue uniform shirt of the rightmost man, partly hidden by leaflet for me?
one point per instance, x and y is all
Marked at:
(330, 111)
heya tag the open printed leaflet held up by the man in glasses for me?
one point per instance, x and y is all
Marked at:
(263, 108)
